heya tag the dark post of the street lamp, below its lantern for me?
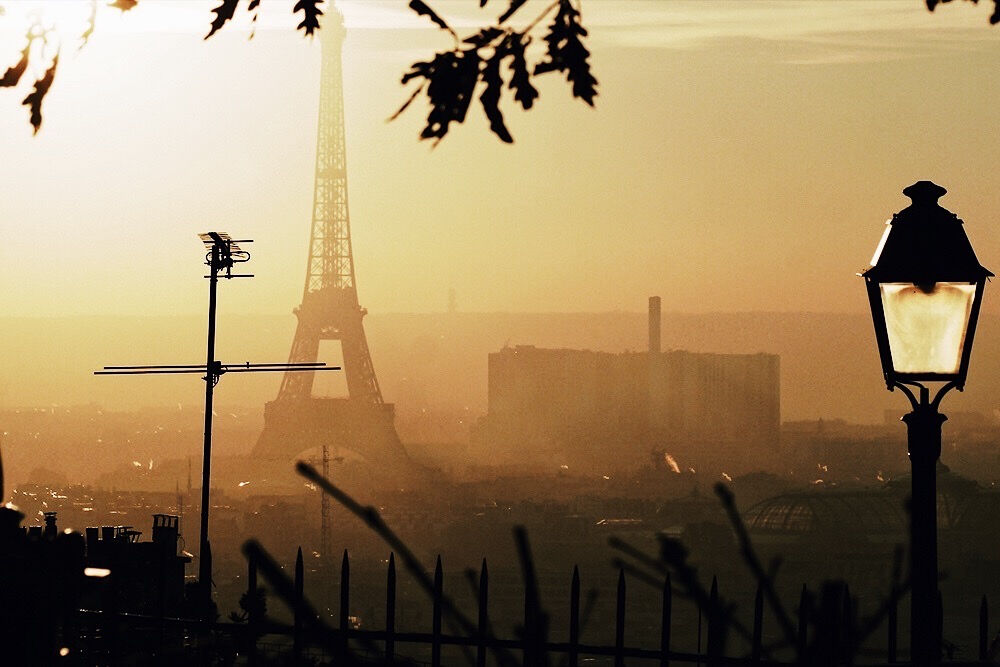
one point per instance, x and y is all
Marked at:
(924, 444)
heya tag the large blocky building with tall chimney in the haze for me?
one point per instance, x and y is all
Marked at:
(597, 410)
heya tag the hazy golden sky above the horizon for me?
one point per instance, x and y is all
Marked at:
(742, 156)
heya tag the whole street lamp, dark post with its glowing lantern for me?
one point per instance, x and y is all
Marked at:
(925, 287)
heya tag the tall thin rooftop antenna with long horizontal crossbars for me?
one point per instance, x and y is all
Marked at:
(223, 253)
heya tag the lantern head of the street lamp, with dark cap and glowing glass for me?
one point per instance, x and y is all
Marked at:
(925, 287)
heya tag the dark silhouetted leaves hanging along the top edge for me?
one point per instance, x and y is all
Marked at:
(450, 79)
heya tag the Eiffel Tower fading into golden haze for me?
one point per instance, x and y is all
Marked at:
(296, 420)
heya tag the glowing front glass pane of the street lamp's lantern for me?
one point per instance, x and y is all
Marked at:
(926, 327)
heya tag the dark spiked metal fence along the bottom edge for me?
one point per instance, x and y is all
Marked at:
(825, 636)
